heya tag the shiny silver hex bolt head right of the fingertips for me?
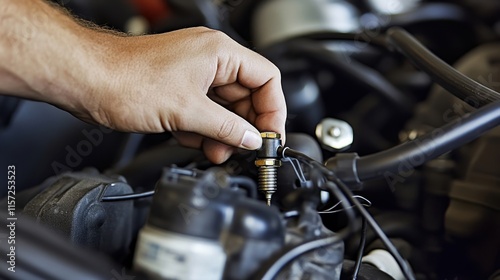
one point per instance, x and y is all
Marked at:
(334, 134)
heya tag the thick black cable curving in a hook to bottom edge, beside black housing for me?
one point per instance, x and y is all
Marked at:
(271, 271)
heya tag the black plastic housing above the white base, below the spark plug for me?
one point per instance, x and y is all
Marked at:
(200, 204)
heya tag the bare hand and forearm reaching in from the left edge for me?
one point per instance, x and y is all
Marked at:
(189, 81)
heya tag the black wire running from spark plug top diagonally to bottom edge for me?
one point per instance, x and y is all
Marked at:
(349, 195)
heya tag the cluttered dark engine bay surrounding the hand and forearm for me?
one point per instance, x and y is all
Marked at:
(389, 169)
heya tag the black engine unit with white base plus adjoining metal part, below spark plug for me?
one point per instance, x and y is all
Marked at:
(200, 227)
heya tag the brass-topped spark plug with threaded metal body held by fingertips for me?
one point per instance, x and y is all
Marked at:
(268, 162)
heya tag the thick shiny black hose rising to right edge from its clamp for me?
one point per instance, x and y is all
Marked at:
(402, 158)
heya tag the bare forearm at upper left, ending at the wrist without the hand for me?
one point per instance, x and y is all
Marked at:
(46, 55)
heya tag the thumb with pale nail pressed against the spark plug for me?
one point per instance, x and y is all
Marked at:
(216, 122)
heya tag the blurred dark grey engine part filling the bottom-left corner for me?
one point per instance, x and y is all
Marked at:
(35, 252)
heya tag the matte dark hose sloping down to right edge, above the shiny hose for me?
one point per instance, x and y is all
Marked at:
(463, 87)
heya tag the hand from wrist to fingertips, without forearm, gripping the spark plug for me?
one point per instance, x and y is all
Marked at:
(190, 82)
